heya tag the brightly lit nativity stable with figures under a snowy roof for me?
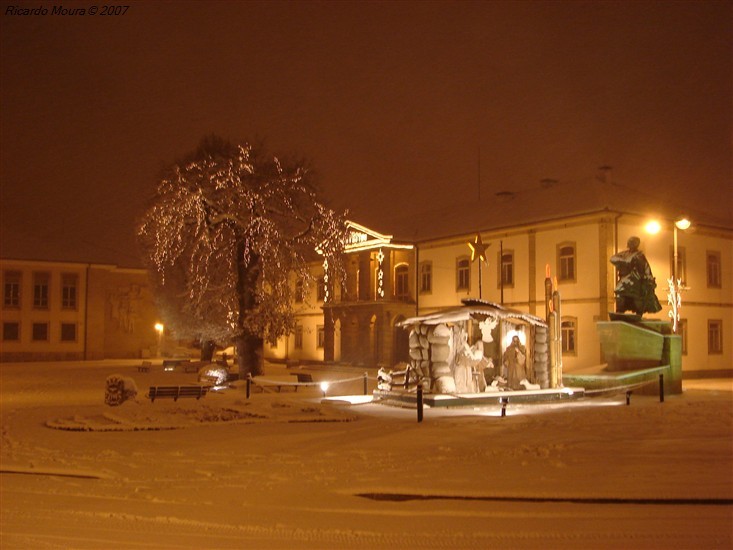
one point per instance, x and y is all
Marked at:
(479, 347)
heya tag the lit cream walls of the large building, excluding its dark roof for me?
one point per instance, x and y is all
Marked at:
(359, 327)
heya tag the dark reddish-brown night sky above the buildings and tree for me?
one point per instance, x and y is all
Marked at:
(394, 103)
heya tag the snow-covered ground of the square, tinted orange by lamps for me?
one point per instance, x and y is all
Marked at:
(286, 471)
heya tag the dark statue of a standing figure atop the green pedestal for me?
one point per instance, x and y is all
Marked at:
(635, 288)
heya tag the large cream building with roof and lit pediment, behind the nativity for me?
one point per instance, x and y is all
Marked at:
(567, 230)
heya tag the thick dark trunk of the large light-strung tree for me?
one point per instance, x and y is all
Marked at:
(249, 346)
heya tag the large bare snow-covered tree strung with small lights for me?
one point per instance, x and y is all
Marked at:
(229, 231)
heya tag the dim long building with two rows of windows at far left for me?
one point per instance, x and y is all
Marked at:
(75, 311)
